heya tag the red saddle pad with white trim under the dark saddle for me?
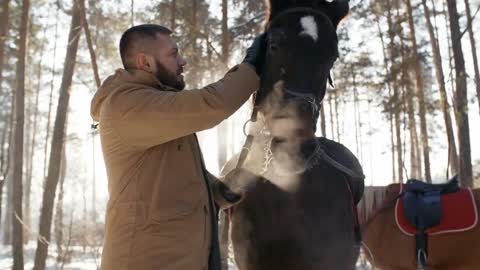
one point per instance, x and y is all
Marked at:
(459, 213)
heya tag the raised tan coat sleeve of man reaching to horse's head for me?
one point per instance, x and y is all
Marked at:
(148, 117)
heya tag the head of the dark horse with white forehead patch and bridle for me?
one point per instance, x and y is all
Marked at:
(301, 49)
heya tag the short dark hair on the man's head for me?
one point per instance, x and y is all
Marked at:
(139, 33)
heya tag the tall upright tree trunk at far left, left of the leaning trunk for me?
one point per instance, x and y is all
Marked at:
(17, 217)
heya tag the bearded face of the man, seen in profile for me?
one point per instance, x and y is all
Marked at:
(168, 62)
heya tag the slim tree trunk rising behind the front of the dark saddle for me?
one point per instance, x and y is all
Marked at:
(420, 95)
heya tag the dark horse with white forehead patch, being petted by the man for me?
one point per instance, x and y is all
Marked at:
(298, 210)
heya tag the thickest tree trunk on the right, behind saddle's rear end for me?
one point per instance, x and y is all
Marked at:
(463, 129)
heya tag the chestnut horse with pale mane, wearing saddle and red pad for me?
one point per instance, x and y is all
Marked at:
(388, 248)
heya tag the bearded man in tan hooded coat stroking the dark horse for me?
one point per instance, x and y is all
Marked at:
(160, 213)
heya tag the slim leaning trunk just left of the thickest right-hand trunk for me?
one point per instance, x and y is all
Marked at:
(437, 59)
